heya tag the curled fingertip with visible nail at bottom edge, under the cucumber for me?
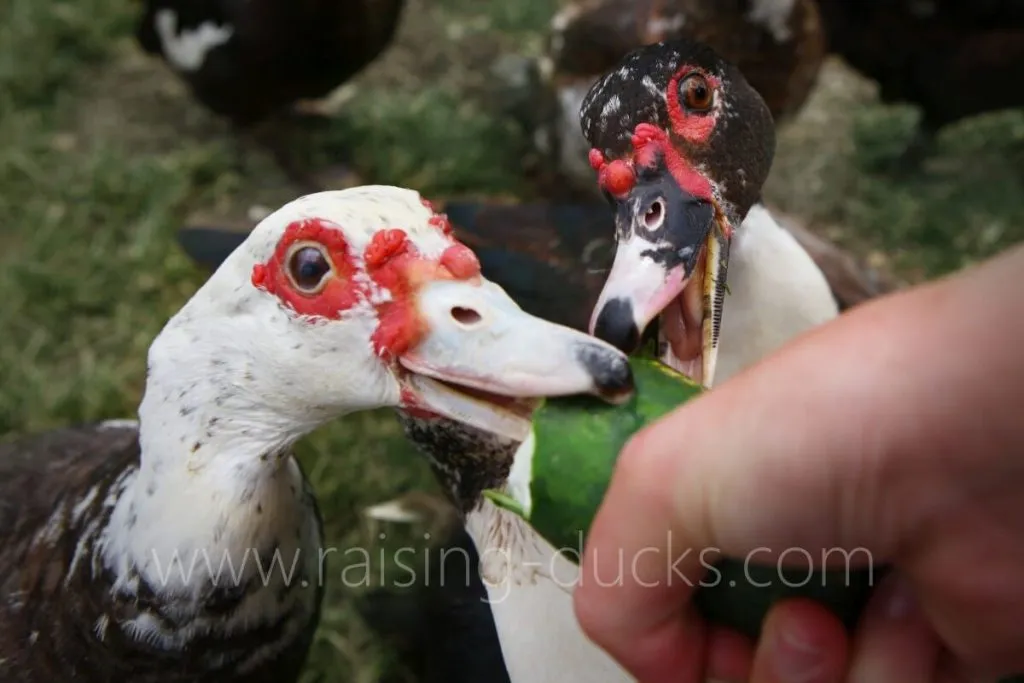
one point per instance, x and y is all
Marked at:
(802, 643)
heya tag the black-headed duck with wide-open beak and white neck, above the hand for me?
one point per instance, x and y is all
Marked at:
(681, 145)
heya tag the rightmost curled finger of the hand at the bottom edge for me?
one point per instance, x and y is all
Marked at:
(894, 643)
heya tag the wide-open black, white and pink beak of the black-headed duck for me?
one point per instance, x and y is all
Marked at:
(670, 265)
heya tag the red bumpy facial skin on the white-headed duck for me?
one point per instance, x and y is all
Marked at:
(392, 262)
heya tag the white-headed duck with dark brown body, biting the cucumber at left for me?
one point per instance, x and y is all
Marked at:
(188, 546)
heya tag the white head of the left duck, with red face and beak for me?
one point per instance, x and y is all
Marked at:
(362, 300)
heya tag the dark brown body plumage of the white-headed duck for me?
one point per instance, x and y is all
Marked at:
(57, 491)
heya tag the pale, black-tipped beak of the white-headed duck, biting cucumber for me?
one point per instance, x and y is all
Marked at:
(486, 363)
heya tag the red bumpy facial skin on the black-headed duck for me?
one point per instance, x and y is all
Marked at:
(618, 177)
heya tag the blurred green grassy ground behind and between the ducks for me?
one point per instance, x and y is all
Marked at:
(103, 156)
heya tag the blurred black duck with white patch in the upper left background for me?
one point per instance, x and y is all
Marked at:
(263, 65)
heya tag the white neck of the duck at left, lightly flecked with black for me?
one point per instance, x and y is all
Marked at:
(217, 495)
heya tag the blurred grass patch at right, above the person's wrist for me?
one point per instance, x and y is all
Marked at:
(965, 204)
